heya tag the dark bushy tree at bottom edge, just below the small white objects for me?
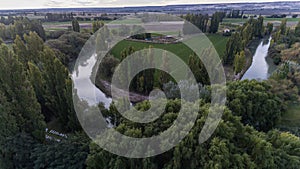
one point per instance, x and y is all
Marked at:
(68, 153)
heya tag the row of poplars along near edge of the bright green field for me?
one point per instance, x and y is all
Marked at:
(147, 80)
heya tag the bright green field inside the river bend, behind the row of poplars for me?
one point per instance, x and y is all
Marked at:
(178, 49)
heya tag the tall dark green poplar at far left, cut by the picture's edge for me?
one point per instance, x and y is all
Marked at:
(19, 91)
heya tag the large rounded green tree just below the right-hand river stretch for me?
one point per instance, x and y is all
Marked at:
(255, 103)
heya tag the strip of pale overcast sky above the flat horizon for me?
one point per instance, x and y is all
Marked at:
(24, 4)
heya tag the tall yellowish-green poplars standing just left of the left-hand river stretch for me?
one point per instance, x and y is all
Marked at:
(50, 79)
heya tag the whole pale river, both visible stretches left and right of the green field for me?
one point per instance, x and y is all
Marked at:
(260, 69)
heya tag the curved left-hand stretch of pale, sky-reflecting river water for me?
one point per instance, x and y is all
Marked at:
(88, 91)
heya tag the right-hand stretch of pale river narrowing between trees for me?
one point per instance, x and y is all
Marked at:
(262, 66)
